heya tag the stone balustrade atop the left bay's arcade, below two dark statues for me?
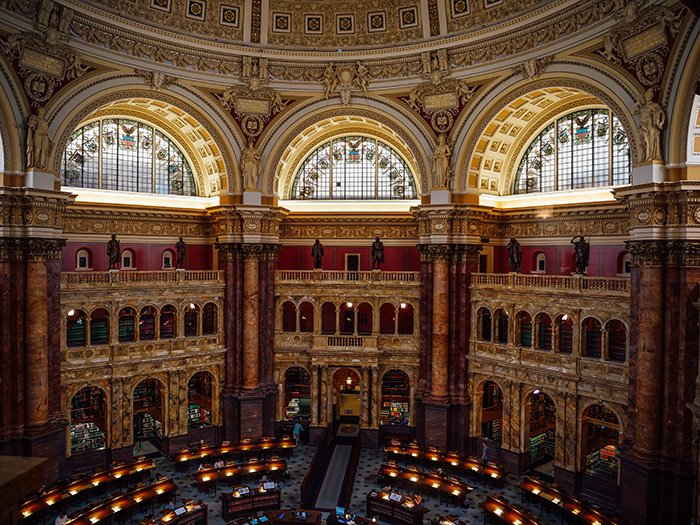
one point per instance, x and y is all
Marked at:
(121, 278)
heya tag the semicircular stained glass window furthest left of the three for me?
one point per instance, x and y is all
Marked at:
(126, 155)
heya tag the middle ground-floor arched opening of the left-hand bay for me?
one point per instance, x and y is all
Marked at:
(148, 415)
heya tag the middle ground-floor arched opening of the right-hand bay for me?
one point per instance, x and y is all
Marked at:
(541, 438)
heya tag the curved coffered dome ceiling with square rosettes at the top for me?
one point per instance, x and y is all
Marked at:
(313, 25)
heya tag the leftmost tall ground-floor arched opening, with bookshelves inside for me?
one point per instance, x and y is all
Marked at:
(88, 420)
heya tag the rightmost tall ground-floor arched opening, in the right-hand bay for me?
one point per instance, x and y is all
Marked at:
(601, 435)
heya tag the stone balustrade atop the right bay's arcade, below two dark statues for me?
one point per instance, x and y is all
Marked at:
(568, 283)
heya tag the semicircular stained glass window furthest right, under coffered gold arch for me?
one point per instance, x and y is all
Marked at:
(585, 149)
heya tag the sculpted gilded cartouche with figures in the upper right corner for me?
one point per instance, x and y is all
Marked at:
(643, 40)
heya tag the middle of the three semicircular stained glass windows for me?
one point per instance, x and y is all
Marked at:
(354, 168)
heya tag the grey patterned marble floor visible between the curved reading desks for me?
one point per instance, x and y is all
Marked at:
(365, 481)
